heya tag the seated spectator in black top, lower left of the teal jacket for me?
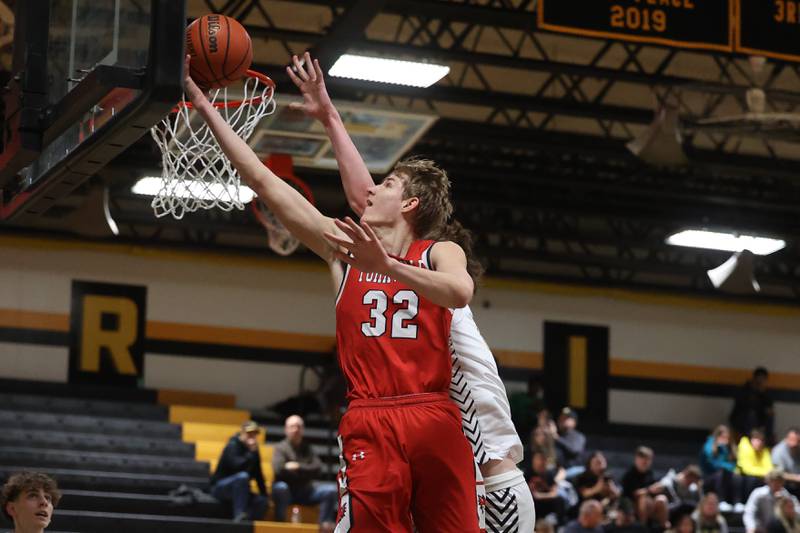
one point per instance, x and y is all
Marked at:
(639, 485)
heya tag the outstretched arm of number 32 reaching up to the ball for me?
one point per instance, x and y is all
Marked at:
(299, 216)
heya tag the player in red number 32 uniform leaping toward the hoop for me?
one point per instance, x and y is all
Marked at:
(406, 463)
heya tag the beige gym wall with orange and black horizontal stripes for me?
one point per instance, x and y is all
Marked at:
(245, 325)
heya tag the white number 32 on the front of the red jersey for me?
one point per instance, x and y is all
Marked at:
(399, 323)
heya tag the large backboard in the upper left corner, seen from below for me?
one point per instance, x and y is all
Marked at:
(90, 77)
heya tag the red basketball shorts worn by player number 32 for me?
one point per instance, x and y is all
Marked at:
(405, 464)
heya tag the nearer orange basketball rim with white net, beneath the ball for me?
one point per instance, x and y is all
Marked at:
(196, 174)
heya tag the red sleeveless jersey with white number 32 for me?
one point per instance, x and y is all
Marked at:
(391, 341)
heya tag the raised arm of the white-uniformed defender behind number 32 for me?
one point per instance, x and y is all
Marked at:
(356, 178)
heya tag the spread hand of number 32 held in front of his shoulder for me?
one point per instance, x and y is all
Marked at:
(366, 253)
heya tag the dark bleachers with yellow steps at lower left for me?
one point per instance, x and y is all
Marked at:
(118, 454)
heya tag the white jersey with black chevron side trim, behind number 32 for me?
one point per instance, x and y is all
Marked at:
(479, 392)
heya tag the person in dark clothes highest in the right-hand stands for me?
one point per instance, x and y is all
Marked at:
(752, 407)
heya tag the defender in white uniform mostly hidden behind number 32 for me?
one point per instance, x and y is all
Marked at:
(476, 386)
